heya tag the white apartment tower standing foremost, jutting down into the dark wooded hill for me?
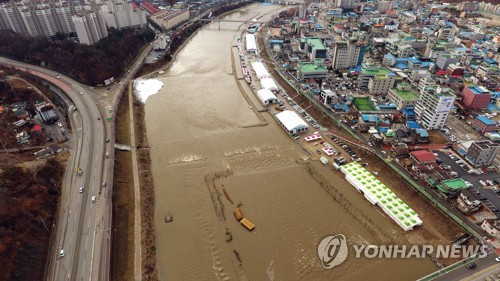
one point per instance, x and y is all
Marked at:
(89, 28)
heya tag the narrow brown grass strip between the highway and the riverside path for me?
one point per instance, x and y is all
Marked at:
(122, 256)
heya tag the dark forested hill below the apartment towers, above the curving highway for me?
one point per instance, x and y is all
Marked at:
(90, 65)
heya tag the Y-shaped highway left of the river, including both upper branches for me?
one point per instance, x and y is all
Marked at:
(83, 227)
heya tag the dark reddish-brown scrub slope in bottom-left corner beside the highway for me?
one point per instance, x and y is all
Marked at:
(29, 195)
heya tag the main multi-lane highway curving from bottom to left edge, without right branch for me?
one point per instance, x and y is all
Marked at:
(82, 225)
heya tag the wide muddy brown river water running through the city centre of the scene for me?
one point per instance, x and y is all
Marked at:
(202, 131)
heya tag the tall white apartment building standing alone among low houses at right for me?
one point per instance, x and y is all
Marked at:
(433, 108)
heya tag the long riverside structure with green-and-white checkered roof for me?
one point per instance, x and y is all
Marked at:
(379, 194)
